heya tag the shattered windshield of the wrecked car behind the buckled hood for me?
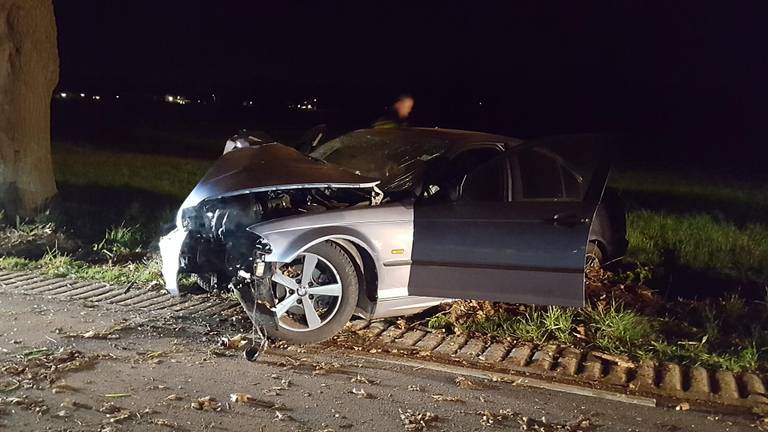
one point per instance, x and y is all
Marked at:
(396, 157)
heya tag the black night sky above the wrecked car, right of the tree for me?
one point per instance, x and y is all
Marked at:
(682, 82)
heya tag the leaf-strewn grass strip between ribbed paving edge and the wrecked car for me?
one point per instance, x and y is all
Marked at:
(614, 329)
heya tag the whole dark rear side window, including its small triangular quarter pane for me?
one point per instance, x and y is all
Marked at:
(544, 177)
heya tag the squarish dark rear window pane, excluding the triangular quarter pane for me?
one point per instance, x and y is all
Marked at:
(540, 176)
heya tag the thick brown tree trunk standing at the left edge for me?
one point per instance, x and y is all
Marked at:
(29, 71)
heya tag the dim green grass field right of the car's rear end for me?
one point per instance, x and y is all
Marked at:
(713, 223)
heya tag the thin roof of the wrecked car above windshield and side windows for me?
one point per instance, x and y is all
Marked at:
(454, 139)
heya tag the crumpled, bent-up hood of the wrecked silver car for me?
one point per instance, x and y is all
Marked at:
(267, 167)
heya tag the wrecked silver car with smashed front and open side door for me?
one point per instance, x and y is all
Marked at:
(387, 222)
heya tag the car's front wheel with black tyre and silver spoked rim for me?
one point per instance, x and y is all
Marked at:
(315, 294)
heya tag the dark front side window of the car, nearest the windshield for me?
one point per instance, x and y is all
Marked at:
(486, 182)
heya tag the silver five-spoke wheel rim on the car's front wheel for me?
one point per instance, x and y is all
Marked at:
(307, 293)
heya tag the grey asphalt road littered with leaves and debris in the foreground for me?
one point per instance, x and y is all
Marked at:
(155, 369)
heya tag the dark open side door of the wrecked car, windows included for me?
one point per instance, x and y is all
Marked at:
(520, 240)
